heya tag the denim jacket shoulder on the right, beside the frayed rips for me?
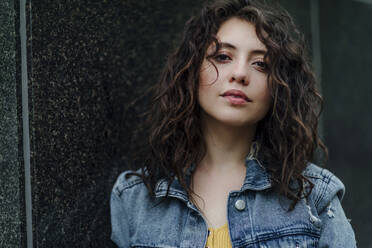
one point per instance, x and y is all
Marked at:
(326, 186)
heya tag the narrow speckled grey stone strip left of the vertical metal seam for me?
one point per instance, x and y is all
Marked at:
(11, 172)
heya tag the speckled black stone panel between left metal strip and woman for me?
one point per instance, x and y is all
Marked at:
(89, 62)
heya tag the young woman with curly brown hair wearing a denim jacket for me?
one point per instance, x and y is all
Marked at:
(233, 131)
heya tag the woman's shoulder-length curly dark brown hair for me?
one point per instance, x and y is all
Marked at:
(287, 135)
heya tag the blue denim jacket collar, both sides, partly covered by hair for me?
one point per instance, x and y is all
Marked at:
(257, 178)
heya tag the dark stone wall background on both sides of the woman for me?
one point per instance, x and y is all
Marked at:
(69, 71)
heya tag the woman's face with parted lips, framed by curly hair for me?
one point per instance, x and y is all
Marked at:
(239, 95)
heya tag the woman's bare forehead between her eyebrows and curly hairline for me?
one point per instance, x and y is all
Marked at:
(239, 33)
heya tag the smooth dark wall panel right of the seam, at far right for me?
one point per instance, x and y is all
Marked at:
(346, 33)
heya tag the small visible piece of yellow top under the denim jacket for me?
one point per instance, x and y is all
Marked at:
(219, 237)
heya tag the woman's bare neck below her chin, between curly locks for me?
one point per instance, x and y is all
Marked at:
(227, 146)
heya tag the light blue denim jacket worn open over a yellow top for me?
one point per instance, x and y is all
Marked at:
(257, 217)
